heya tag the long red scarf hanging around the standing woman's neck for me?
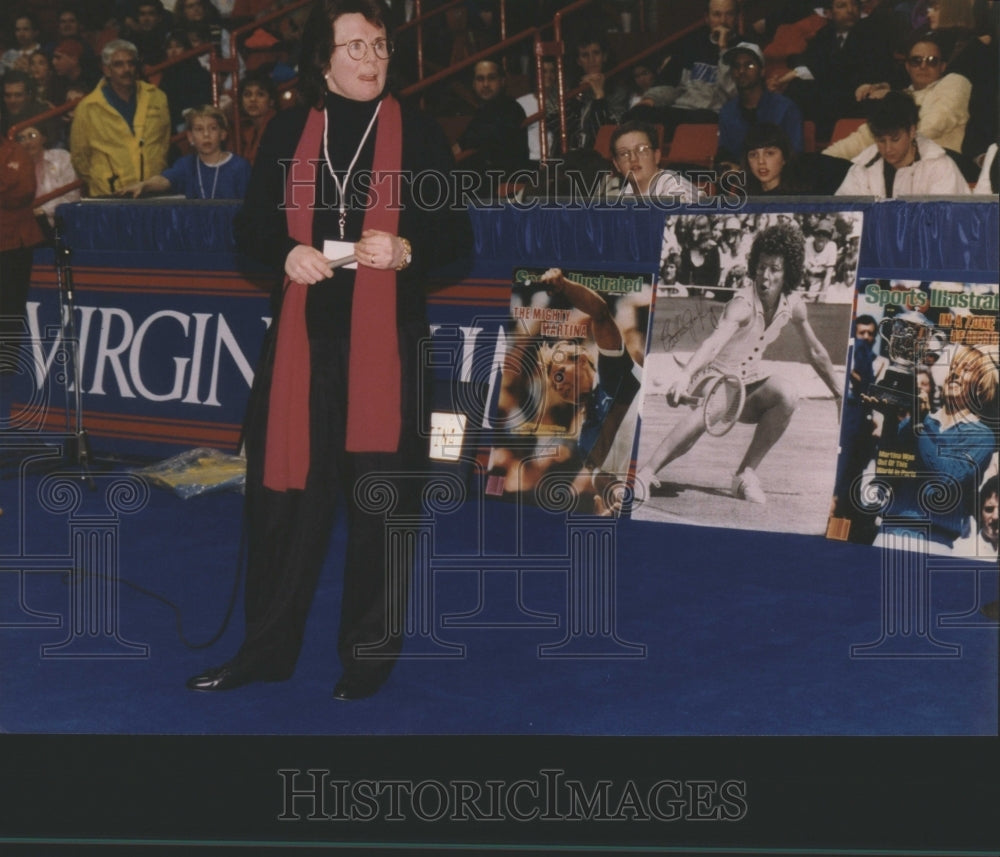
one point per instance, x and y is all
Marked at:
(373, 390)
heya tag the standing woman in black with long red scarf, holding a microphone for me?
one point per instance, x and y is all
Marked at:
(340, 402)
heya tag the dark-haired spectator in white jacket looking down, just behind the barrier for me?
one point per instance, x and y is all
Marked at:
(901, 162)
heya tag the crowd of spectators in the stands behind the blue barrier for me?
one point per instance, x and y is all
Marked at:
(914, 82)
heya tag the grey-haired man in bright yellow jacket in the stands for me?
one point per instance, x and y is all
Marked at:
(121, 130)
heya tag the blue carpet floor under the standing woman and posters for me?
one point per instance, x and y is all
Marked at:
(701, 631)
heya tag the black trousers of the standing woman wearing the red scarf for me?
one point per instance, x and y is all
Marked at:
(289, 532)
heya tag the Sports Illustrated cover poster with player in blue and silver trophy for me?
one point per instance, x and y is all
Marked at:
(918, 461)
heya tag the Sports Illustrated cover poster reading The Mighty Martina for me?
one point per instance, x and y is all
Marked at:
(566, 404)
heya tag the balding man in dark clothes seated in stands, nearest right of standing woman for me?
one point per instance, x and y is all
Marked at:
(495, 139)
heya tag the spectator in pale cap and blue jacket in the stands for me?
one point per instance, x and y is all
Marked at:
(753, 104)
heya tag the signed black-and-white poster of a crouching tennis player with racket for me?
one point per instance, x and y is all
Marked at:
(745, 370)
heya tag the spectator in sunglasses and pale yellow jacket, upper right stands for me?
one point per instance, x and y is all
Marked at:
(943, 100)
